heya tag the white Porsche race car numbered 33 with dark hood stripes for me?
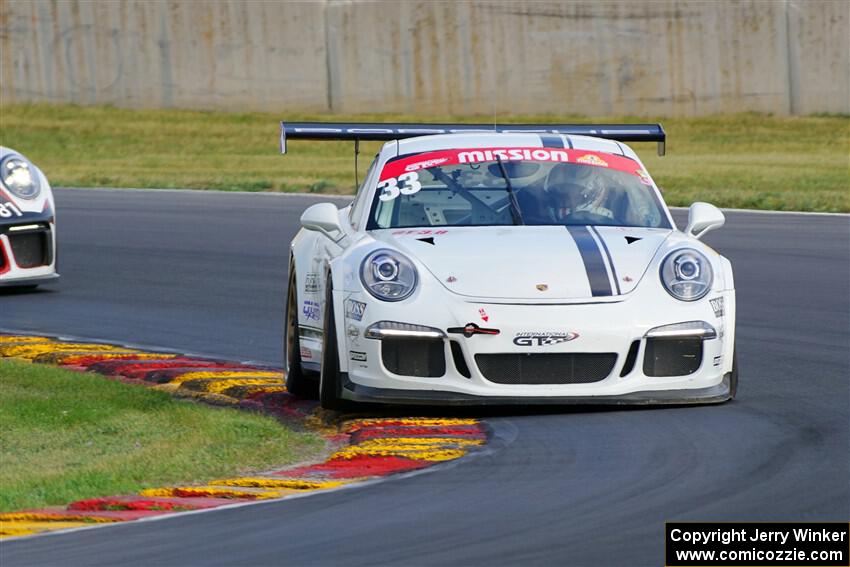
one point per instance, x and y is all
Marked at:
(515, 264)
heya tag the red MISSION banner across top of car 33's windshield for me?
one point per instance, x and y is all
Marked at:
(407, 165)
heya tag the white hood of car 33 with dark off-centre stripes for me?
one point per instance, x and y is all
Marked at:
(532, 262)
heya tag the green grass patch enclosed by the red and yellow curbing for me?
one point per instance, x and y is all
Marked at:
(69, 435)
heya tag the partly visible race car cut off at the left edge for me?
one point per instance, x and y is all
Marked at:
(27, 223)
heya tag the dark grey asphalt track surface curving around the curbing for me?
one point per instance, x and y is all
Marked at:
(205, 272)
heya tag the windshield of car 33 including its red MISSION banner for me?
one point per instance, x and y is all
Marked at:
(509, 186)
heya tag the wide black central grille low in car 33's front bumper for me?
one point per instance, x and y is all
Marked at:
(554, 368)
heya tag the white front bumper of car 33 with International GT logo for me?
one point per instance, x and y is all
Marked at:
(611, 328)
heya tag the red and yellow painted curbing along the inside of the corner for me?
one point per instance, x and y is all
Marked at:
(366, 448)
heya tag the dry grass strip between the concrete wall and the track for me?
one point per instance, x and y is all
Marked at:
(746, 161)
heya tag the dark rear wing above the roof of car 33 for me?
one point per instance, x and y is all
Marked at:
(377, 131)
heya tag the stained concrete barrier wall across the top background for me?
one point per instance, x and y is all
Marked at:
(620, 57)
